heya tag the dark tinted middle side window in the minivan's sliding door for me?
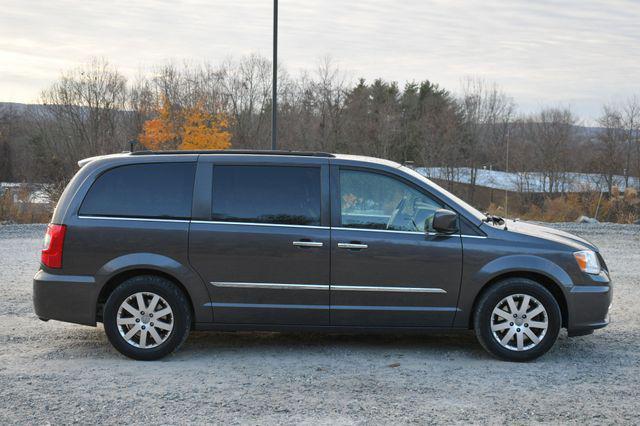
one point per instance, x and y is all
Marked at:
(267, 194)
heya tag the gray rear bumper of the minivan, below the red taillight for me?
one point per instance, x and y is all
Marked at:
(68, 298)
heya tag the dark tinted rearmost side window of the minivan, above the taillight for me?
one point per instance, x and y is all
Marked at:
(157, 190)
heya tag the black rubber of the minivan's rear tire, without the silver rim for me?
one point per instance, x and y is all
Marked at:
(174, 297)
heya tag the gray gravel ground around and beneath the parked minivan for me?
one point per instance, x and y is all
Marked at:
(63, 373)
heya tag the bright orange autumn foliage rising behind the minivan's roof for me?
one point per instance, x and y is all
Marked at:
(190, 128)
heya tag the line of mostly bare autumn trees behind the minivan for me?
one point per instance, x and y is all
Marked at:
(94, 110)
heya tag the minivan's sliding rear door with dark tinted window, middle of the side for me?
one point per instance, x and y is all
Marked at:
(265, 252)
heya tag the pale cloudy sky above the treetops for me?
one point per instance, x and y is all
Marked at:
(571, 53)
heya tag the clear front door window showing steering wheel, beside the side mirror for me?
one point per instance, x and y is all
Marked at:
(376, 201)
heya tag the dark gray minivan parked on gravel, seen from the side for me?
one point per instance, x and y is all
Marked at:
(155, 244)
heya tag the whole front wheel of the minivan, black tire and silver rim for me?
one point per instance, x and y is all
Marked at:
(514, 339)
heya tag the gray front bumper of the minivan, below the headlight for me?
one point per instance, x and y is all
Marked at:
(588, 306)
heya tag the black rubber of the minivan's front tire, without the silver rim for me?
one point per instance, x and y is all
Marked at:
(493, 296)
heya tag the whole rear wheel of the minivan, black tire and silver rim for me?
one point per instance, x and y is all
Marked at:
(164, 332)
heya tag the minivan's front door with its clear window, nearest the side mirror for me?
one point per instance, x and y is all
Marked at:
(387, 266)
